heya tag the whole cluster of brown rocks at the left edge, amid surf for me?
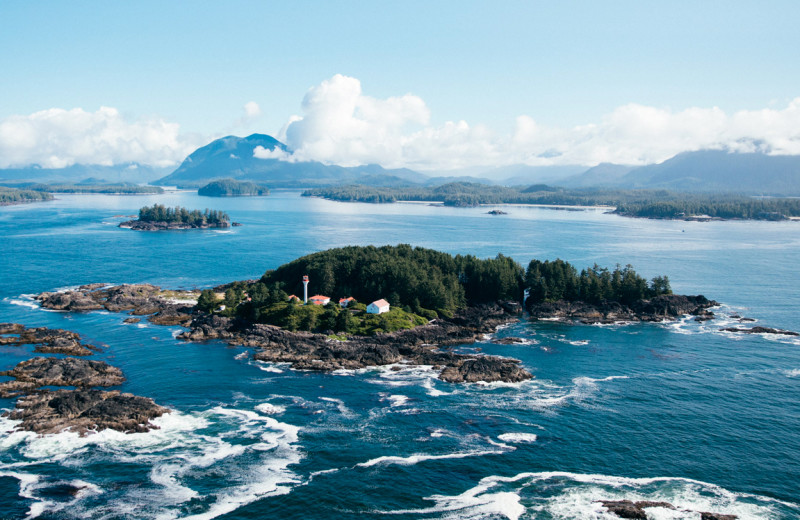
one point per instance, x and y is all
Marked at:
(81, 408)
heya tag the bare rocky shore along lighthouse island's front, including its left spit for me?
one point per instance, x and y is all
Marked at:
(310, 351)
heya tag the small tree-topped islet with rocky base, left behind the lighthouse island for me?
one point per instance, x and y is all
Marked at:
(159, 217)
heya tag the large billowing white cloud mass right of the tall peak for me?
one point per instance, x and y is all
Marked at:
(341, 125)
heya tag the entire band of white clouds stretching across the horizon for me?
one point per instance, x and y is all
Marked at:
(339, 124)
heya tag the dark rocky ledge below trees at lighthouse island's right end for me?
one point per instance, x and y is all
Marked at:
(660, 308)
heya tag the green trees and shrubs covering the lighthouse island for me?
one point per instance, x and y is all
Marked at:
(419, 283)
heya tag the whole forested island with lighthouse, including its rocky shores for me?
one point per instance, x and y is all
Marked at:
(426, 300)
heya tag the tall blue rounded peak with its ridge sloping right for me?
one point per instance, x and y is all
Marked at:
(233, 157)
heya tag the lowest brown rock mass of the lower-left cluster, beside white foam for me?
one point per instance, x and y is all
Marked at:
(85, 410)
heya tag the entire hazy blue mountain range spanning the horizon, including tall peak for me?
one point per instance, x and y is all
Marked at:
(241, 158)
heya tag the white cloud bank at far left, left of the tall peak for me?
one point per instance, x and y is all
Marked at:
(57, 138)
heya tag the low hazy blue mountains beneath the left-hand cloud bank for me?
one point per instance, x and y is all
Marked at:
(81, 173)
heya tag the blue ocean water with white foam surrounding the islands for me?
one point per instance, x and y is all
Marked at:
(678, 412)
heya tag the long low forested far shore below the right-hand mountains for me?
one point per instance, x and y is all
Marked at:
(633, 203)
